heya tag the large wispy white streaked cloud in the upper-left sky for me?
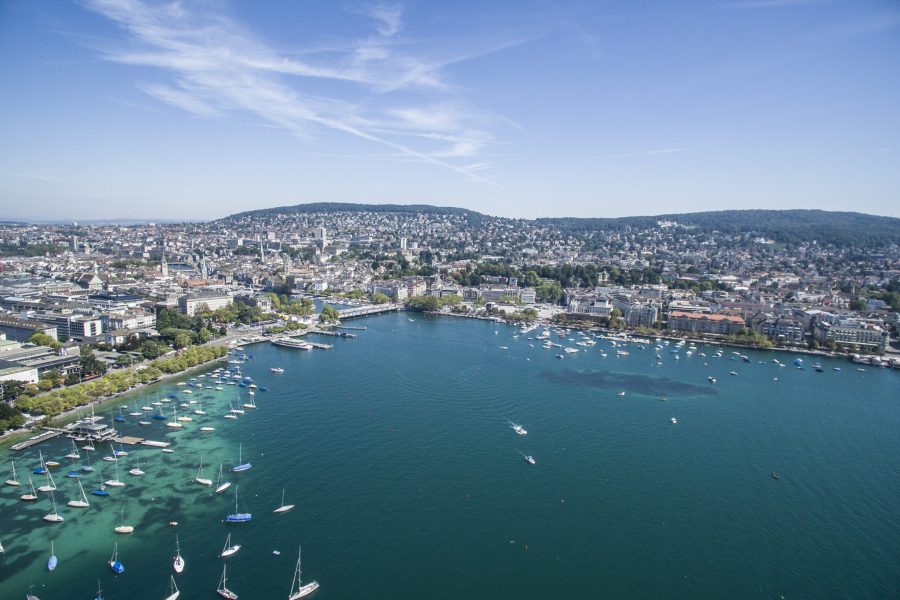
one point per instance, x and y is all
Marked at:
(217, 69)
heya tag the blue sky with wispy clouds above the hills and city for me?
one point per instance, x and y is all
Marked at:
(195, 110)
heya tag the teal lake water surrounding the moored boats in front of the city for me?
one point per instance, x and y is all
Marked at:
(409, 483)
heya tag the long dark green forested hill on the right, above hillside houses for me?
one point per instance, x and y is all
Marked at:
(789, 226)
